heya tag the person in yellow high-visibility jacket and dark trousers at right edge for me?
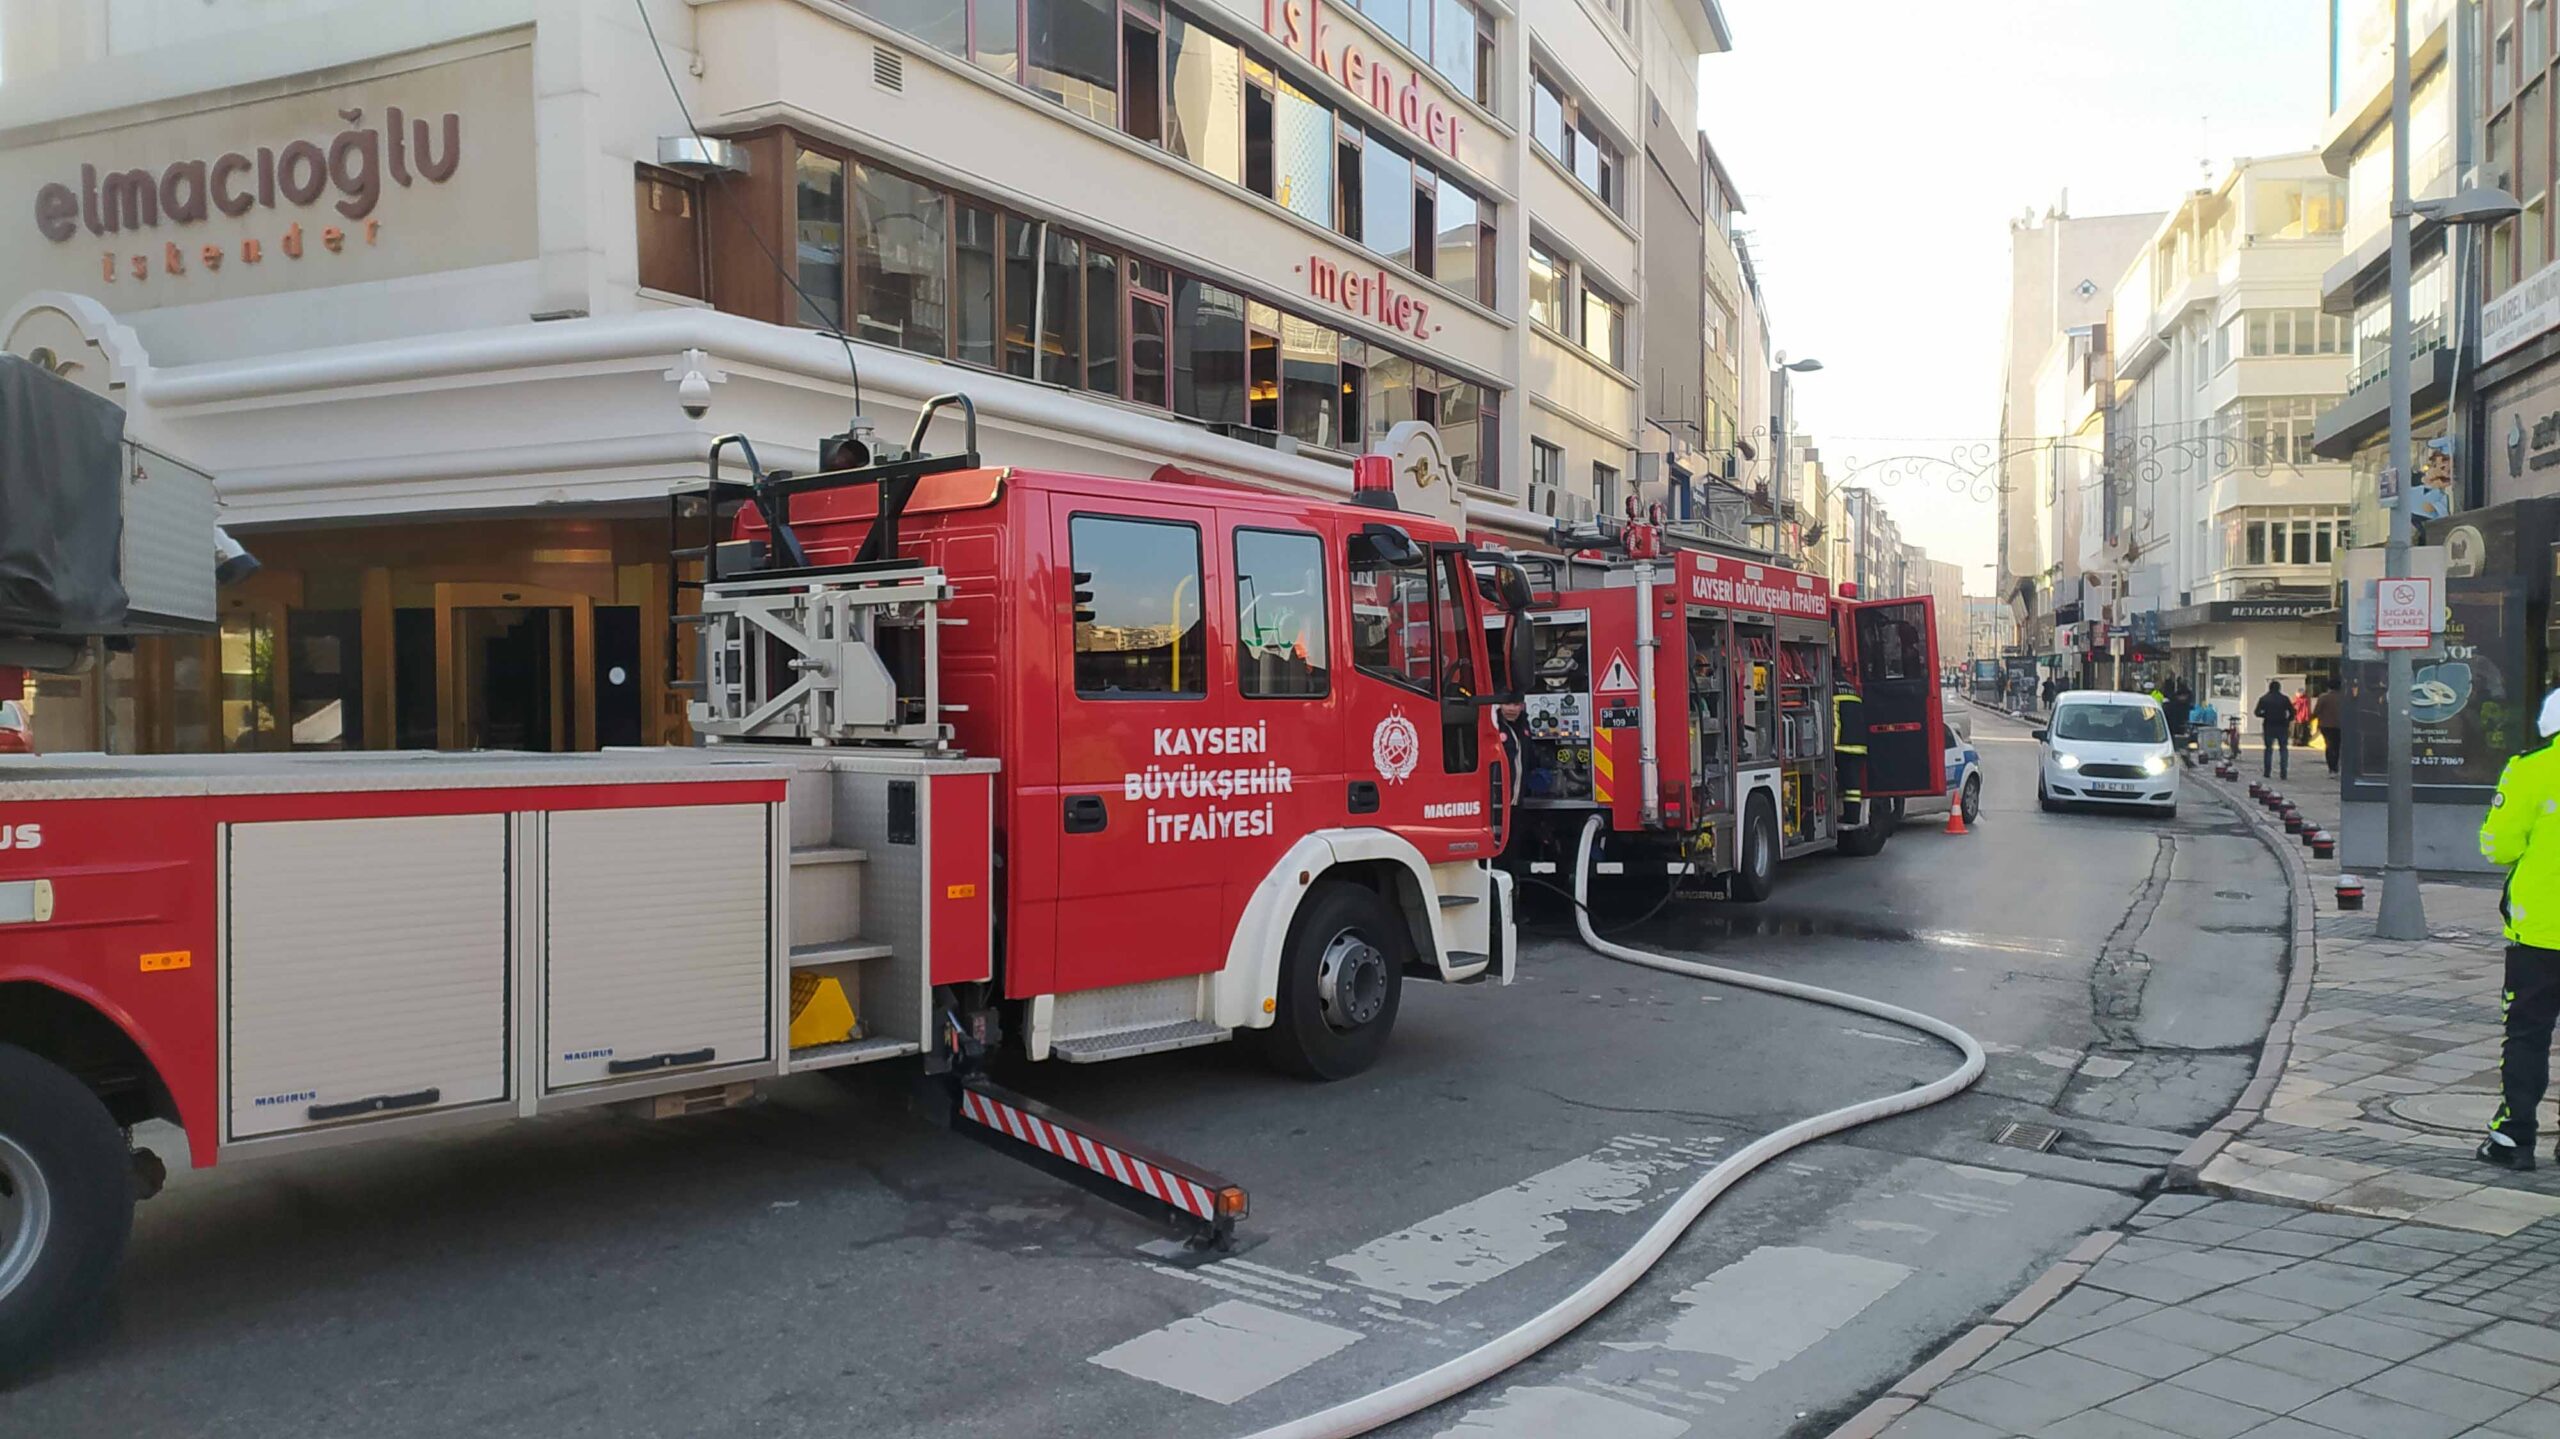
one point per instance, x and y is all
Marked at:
(2523, 833)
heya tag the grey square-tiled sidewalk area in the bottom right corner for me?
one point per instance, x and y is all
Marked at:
(2236, 1320)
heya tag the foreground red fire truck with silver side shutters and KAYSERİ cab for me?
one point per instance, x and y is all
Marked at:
(1069, 764)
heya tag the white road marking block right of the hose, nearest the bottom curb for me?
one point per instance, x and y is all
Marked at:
(1778, 1302)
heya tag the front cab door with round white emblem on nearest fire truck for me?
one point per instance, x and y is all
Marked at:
(1414, 731)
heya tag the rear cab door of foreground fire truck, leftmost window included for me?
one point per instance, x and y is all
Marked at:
(1146, 726)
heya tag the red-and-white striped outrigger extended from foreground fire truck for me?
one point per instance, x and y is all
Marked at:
(1197, 1205)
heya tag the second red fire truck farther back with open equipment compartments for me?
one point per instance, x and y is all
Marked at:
(1688, 700)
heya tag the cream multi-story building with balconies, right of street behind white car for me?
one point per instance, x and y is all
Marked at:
(2216, 513)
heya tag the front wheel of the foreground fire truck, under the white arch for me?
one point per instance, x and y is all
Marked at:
(1340, 985)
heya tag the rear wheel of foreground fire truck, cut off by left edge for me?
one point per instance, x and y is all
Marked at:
(65, 1202)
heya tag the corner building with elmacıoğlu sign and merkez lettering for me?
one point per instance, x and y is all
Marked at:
(447, 296)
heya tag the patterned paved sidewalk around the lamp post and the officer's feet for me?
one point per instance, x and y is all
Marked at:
(2392, 1072)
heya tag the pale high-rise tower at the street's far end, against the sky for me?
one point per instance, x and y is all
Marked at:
(2062, 270)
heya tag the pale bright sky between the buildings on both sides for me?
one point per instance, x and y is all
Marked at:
(1883, 150)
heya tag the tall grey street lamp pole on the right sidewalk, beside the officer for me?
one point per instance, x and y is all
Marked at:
(2405, 913)
